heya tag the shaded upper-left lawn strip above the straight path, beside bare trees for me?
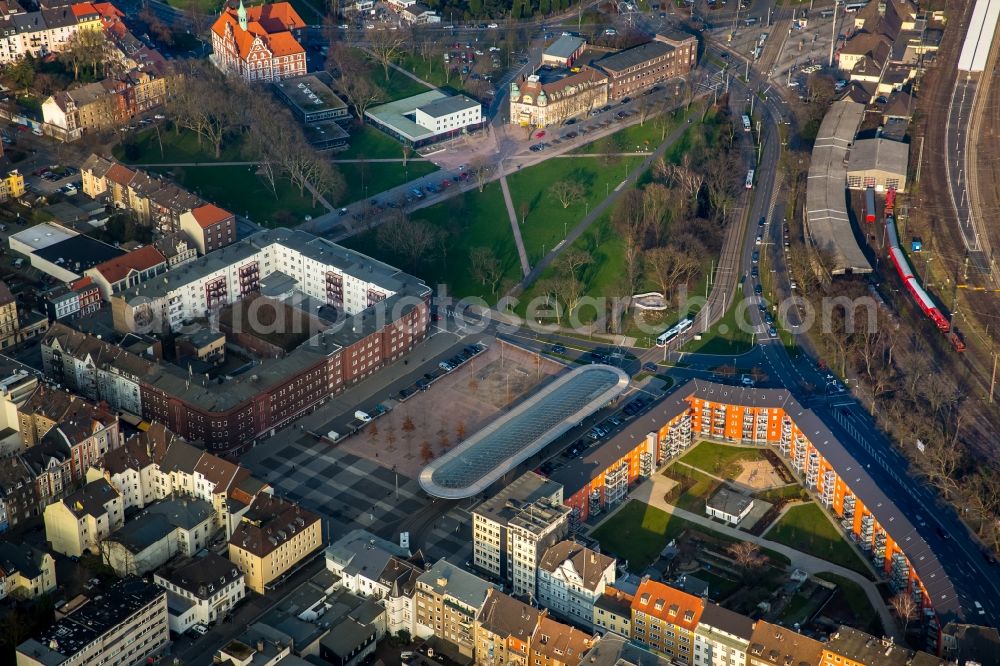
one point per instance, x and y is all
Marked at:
(177, 146)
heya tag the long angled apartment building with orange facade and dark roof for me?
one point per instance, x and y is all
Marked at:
(699, 410)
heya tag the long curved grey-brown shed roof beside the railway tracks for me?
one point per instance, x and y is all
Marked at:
(827, 221)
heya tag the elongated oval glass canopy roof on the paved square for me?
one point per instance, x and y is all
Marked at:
(474, 465)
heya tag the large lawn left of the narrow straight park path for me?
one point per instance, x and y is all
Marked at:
(469, 220)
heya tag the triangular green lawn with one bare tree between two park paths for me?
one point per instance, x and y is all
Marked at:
(544, 220)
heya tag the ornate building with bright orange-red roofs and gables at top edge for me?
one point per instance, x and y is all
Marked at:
(260, 43)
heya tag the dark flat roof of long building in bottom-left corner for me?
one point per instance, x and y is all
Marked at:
(66, 637)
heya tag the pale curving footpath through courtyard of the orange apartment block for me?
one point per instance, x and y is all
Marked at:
(652, 493)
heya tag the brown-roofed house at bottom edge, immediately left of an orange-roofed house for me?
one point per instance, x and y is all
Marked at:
(503, 630)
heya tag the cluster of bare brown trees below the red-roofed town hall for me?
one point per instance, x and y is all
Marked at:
(218, 109)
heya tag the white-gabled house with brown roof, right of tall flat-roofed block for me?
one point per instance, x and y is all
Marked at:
(571, 578)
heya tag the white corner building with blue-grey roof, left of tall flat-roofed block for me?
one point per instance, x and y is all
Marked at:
(373, 567)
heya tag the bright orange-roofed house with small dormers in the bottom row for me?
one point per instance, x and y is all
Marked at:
(665, 619)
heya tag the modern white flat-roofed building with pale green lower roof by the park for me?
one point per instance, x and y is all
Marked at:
(427, 118)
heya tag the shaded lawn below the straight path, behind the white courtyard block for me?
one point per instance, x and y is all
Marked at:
(238, 189)
